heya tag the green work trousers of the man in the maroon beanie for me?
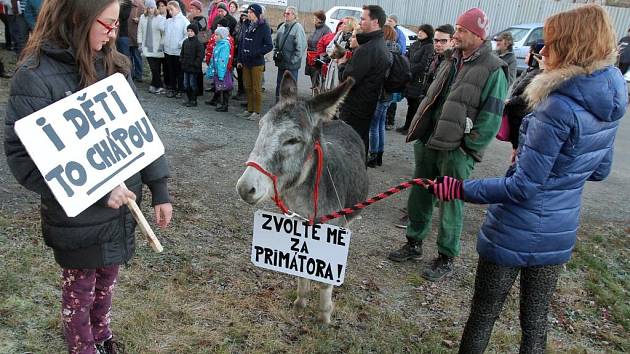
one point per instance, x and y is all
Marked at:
(431, 164)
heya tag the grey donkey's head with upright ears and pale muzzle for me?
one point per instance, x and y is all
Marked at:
(286, 140)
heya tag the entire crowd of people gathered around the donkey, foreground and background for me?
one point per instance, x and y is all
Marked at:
(459, 92)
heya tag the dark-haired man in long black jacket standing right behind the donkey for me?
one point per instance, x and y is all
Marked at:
(367, 67)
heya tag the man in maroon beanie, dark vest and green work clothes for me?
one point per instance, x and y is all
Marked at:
(457, 119)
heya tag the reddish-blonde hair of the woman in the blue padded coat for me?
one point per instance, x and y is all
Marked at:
(579, 37)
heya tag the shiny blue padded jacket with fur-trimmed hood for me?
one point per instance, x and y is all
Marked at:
(567, 140)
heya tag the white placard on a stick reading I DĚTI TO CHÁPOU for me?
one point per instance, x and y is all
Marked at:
(90, 142)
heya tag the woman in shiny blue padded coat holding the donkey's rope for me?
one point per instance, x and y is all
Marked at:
(534, 211)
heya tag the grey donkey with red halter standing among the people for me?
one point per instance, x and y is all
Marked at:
(285, 148)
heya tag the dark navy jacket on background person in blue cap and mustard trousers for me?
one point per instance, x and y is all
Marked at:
(254, 43)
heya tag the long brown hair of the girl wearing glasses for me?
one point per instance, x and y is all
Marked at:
(67, 23)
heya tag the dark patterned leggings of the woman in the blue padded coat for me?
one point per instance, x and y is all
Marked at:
(492, 285)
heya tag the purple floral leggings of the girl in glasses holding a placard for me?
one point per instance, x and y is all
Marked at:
(86, 301)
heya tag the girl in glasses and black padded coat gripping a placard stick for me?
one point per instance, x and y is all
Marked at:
(71, 47)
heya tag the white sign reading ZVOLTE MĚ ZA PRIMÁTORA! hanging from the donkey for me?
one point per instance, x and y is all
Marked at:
(318, 252)
